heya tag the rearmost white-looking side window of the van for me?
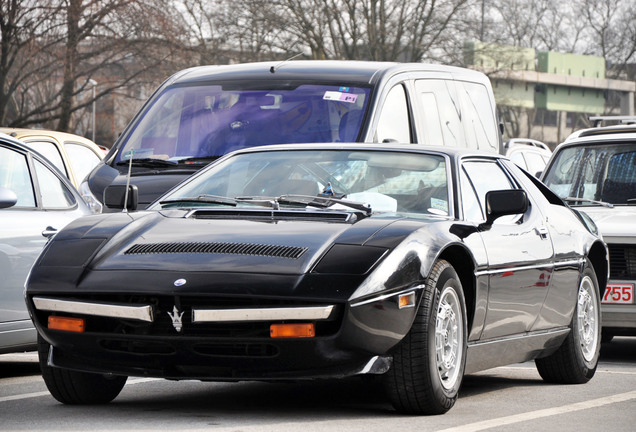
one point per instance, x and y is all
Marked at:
(479, 124)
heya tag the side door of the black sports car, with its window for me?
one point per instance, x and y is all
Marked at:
(520, 254)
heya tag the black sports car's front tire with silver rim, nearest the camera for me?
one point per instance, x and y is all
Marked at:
(428, 364)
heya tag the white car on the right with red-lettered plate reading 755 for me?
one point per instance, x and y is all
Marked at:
(595, 171)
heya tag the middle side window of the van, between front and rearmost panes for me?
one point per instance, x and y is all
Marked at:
(445, 115)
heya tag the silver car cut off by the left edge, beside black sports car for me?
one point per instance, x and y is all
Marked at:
(35, 201)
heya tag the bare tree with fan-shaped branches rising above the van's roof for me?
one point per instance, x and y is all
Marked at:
(383, 30)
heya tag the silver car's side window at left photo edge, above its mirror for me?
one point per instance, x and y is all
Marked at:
(14, 175)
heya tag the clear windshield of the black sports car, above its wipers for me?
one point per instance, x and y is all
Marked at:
(384, 180)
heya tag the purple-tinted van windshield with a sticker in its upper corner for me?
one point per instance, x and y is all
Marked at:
(207, 121)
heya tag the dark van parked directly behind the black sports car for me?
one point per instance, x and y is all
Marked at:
(202, 113)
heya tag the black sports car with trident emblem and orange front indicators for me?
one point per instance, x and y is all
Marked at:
(328, 260)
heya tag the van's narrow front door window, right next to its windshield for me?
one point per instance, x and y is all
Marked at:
(394, 124)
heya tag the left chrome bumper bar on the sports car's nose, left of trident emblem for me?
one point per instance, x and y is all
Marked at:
(141, 313)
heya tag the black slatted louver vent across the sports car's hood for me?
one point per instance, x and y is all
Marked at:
(218, 248)
